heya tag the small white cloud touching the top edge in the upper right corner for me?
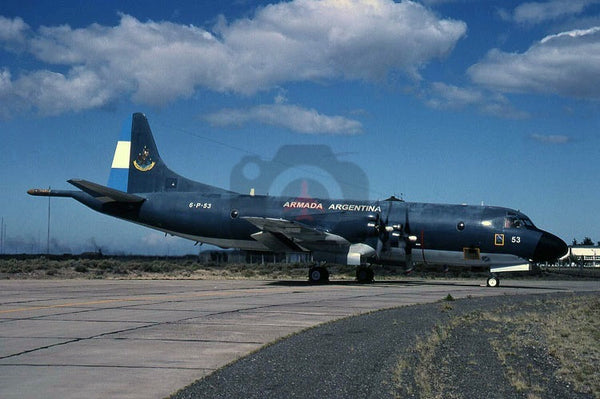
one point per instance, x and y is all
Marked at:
(537, 12)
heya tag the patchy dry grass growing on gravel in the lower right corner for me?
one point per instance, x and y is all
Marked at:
(569, 334)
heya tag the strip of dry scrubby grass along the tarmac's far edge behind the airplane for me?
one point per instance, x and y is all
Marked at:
(61, 267)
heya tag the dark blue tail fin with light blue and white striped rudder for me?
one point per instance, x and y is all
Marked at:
(138, 168)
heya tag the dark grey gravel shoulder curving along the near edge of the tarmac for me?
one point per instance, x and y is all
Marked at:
(435, 350)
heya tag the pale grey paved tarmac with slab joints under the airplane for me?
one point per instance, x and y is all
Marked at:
(150, 338)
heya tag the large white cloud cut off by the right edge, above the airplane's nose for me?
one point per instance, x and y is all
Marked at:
(567, 64)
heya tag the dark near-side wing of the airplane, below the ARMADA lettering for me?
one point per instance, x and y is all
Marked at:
(282, 235)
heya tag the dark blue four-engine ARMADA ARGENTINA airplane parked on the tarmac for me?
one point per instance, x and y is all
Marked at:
(143, 190)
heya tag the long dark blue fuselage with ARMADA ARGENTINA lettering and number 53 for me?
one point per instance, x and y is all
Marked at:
(461, 235)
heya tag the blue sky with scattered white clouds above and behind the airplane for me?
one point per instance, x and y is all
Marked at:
(443, 101)
